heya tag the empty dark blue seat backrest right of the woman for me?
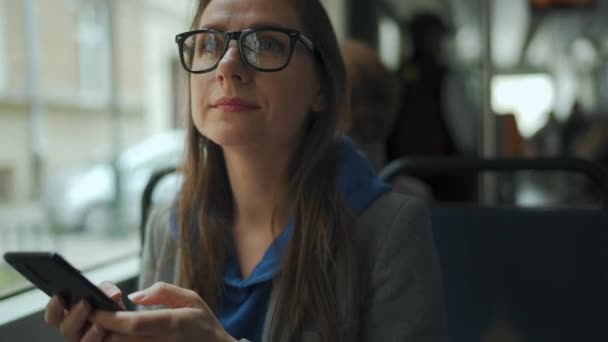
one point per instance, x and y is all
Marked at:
(539, 273)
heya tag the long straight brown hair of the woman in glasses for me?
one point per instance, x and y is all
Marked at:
(305, 285)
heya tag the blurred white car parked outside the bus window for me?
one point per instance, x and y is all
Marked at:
(84, 201)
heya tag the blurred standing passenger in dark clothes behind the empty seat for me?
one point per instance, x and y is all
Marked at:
(435, 120)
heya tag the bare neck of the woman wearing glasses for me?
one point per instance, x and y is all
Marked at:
(258, 180)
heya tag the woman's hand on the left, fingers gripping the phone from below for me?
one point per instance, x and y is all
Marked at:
(74, 325)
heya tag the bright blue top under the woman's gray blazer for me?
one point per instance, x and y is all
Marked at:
(245, 301)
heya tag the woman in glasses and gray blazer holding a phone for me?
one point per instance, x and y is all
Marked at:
(281, 231)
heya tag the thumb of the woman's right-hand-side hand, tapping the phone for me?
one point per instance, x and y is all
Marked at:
(169, 295)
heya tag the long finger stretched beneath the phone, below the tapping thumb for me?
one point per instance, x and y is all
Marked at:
(139, 323)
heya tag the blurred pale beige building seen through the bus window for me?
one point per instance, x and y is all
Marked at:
(69, 55)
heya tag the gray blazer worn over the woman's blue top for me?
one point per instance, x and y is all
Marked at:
(394, 244)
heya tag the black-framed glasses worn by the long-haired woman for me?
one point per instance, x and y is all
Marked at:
(266, 49)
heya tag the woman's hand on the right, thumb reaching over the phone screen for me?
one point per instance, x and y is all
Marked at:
(188, 319)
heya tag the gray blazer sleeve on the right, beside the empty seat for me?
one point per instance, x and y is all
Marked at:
(405, 300)
